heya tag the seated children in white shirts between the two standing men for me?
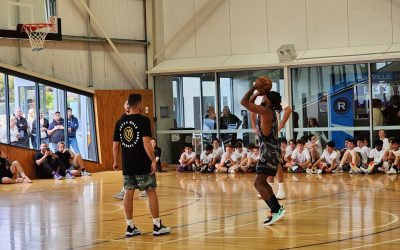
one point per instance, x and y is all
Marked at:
(214, 159)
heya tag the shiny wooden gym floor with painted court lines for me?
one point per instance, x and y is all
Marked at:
(205, 211)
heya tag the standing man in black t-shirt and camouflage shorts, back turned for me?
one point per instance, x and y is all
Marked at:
(132, 132)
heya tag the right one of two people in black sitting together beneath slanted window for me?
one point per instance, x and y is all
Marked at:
(77, 166)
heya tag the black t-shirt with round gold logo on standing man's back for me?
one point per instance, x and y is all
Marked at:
(129, 131)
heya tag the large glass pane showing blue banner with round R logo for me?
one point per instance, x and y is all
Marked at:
(334, 96)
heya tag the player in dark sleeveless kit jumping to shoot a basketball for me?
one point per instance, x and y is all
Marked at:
(270, 154)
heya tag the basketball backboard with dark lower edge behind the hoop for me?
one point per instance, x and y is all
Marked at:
(14, 12)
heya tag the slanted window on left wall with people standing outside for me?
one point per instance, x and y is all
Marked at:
(32, 113)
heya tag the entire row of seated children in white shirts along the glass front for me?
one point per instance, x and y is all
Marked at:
(305, 155)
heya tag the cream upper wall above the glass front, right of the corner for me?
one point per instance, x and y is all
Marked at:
(317, 28)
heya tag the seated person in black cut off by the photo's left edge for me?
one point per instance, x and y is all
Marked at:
(9, 171)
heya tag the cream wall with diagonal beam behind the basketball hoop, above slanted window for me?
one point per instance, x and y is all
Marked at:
(69, 60)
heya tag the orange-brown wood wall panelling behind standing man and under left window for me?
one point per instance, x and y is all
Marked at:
(109, 108)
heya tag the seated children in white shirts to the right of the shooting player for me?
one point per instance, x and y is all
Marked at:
(355, 158)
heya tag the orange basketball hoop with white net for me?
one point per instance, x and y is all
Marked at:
(37, 33)
